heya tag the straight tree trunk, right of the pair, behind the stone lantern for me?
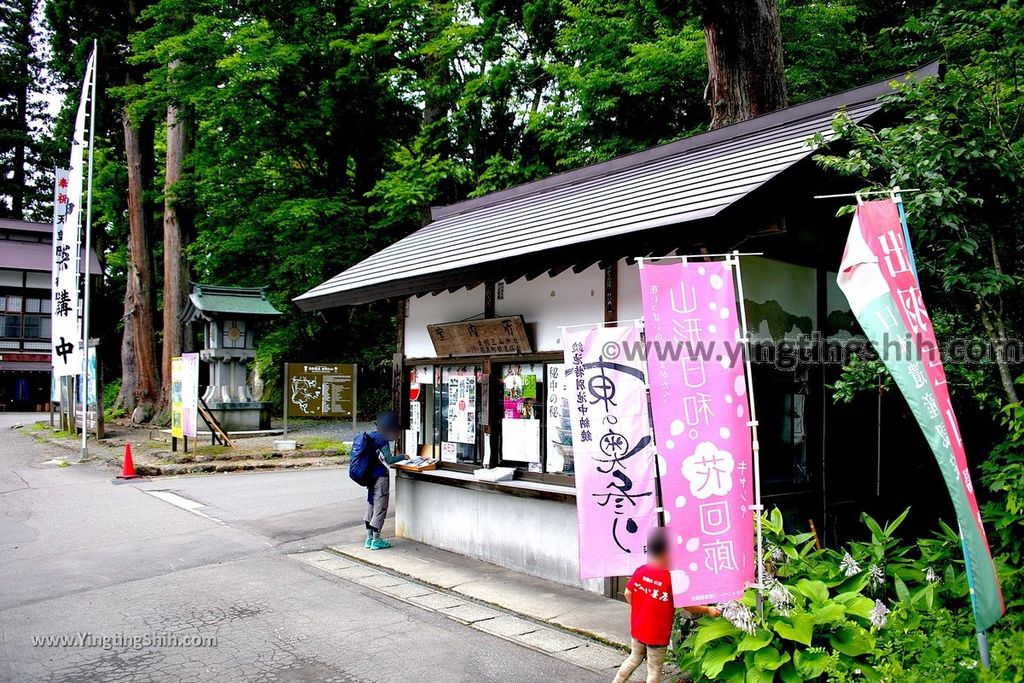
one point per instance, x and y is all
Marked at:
(176, 275)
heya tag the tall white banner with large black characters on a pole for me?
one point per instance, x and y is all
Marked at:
(67, 333)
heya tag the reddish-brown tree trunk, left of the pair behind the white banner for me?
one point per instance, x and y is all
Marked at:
(141, 311)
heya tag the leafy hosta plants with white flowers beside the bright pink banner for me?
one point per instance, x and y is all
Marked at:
(824, 612)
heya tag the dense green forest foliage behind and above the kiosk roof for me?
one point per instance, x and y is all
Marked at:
(322, 132)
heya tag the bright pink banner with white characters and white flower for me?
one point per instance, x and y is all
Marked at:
(700, 408)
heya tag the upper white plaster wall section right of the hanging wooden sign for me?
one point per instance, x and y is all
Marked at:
(547, 303)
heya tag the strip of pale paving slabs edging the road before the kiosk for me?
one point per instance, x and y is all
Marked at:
(553, 642)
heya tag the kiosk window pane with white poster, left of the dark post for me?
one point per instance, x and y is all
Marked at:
(458, 414)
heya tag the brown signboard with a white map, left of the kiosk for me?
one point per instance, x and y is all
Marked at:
(320, 391)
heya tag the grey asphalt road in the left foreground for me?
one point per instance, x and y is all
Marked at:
(132, 577)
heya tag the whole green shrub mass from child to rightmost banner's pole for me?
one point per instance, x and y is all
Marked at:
(876, 611)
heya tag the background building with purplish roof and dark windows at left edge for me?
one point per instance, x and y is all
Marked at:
(26, 255)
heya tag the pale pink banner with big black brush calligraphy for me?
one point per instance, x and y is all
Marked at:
(617, 496)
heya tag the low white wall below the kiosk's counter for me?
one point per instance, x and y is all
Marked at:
(534, 537)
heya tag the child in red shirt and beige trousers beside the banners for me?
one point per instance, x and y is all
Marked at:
(652, 613)
